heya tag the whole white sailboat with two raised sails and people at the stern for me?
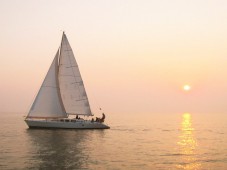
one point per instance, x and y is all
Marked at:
(62, 97)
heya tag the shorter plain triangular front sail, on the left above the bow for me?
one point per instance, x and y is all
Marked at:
(48, 103)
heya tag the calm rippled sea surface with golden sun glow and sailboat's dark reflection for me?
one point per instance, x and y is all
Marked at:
(145, 141)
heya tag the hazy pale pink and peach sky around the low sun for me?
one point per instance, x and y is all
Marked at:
(134, 55)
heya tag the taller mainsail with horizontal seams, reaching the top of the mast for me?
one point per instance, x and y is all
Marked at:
(72, 89)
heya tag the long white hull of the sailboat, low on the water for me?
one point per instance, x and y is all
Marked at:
(70, 124)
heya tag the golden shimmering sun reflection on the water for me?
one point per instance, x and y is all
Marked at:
(187, 144)
